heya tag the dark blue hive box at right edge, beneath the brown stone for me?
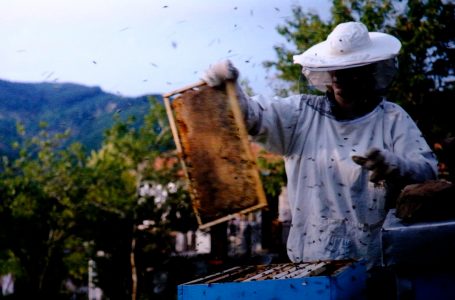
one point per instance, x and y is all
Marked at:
(422, 257)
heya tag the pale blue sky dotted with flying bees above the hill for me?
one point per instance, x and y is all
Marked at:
(141, 47)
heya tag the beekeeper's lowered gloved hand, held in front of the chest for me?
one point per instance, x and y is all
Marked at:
(375, 161)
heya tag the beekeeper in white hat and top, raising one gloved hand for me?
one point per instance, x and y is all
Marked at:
(344, 150)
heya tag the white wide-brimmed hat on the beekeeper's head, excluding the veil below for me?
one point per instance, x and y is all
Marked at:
(349, 45)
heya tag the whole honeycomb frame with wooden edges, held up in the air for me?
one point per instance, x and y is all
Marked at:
(213, 144)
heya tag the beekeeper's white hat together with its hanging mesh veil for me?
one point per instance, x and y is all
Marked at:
(350, 45)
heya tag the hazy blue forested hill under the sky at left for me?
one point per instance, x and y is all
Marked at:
(86, 111)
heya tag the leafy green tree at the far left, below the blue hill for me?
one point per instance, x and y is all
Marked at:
(38, 212)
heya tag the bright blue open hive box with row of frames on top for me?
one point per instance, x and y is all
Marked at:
(316, 280)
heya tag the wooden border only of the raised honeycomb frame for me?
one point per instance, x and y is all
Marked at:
(243, 141)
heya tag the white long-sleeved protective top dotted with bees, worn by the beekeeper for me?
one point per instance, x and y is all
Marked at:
(336, 211)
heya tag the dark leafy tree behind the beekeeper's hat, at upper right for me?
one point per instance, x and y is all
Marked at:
(424, 84)
